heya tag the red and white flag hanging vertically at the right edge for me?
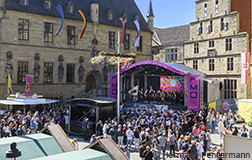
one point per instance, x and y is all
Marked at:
(244, 67)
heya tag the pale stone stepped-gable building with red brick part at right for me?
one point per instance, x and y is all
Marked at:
(217, 38)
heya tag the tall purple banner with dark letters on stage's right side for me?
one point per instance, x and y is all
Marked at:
(193, 92)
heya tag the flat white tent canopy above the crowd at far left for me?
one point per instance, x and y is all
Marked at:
(21, 101)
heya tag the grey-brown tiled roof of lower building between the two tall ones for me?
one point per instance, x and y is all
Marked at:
(177, 34)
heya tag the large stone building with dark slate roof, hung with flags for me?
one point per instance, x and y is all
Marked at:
(59, 65)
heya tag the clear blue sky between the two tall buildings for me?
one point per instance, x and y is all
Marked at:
(169, 13)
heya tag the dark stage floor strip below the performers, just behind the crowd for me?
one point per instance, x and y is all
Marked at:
(159, 107)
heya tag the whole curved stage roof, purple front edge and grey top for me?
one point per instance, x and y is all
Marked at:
(178, 69)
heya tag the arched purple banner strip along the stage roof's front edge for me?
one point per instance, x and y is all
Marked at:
(167, 66)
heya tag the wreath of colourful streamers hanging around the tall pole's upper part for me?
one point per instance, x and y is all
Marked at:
(109, 58)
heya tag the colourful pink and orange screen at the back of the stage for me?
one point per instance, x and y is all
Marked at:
(172, 83)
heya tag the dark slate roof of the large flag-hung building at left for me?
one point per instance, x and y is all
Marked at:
(118, 6)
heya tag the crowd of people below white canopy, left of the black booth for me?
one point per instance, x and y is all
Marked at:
(18, 123)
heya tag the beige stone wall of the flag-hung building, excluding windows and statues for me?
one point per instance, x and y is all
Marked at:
(49, 52)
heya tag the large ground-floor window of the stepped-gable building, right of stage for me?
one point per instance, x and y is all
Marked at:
(230, 88)
